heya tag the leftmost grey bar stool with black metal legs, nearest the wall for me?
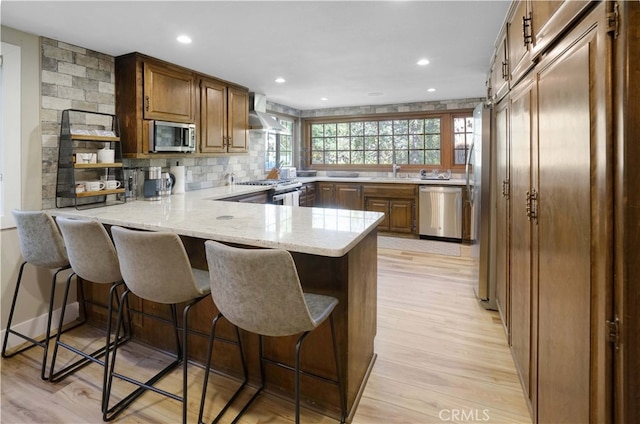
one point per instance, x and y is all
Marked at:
(41, 245)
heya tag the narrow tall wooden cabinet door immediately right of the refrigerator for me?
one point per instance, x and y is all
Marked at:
(502, 210)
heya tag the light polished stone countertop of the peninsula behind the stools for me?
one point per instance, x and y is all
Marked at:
(316, 231)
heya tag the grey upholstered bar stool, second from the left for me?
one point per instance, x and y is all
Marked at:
(93, 258)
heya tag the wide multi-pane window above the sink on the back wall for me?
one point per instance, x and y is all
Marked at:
(424, 141)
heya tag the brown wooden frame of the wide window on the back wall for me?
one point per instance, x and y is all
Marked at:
(447, 145)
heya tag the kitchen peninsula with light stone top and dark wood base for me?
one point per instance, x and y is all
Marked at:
(335, 252)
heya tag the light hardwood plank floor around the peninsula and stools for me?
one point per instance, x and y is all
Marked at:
(441, 358)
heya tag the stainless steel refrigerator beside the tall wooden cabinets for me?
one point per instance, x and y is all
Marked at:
(478, 178)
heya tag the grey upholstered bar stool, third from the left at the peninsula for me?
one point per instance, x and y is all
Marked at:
(156, 268)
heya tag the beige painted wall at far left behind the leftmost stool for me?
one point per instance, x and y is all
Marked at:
(35, 293)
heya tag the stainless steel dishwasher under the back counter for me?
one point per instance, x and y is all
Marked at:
(440, 212)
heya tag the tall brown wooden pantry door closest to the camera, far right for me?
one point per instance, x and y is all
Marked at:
(574, 359)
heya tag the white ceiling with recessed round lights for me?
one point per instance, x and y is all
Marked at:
(351, 52)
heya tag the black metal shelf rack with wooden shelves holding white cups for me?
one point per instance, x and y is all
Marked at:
(79, 163)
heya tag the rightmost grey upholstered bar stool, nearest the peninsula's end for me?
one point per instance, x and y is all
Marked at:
(258, 290)
